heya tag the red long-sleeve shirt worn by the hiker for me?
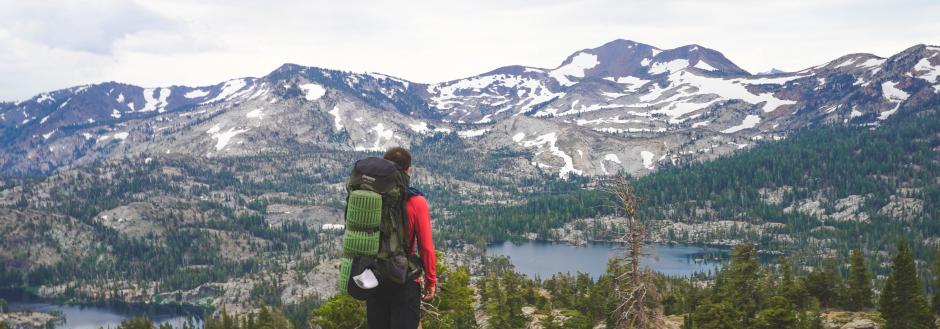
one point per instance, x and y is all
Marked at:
(419, 218)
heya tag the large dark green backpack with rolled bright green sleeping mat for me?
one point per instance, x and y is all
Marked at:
(376, 226)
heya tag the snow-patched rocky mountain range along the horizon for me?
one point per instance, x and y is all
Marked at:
(622, 106)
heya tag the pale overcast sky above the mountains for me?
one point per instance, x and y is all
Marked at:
(53, 44)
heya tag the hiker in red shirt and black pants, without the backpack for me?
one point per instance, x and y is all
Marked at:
(398, 306)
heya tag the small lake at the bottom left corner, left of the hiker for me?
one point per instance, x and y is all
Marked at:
(100, 316)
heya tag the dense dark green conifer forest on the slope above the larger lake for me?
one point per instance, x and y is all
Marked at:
(805, 182)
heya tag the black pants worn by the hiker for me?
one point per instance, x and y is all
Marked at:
(395, 306)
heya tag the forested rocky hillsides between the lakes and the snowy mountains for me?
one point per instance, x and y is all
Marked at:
(200, 220)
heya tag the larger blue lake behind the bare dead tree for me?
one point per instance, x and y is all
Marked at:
(546, 258)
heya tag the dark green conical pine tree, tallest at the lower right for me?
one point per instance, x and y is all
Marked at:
(903, 304)
